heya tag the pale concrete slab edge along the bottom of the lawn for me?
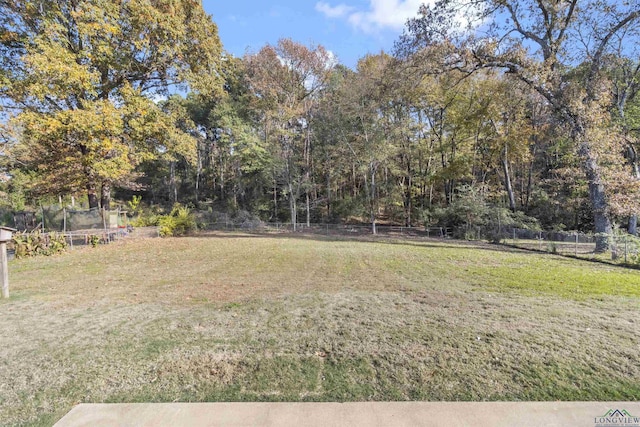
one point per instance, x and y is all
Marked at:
(523, 414)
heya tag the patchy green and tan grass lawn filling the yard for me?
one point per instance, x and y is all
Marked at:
(305, 318)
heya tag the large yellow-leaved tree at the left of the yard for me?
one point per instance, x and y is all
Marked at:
(83, 76)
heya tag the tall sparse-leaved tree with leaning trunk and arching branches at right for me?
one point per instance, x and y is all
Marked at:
(537, 41)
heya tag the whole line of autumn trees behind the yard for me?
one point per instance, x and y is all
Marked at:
(526, 111)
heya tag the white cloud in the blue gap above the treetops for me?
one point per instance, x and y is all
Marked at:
(381, 14)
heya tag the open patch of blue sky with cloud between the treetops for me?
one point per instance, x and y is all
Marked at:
(348, 28)
